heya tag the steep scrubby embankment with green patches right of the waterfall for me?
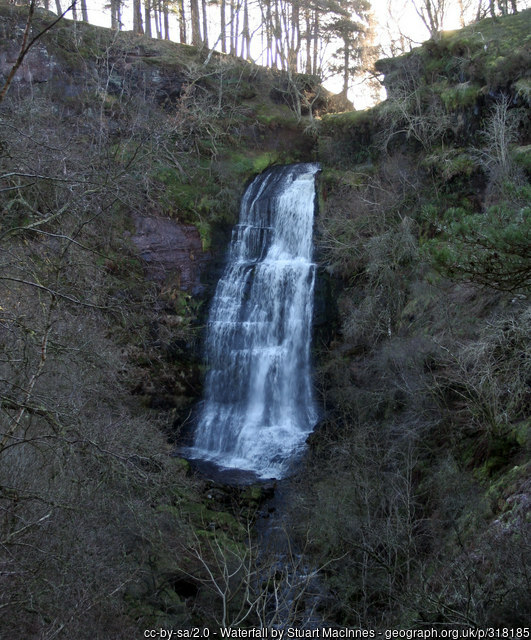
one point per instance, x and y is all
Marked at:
(416, 494)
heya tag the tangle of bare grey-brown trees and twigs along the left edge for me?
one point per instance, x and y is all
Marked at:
(83, 466)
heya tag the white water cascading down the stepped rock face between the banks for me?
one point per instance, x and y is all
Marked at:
(259, 406)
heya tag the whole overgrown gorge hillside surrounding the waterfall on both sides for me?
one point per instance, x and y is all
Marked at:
(123, 160)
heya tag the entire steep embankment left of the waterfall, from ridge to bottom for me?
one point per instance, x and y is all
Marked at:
(122, 162)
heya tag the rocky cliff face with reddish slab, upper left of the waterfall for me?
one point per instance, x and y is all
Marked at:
(185, 138)
